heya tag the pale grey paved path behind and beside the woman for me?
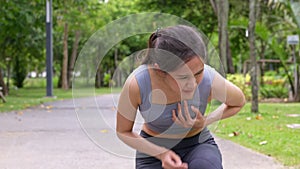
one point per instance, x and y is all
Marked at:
(51, 137)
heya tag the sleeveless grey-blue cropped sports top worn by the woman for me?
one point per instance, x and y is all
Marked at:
(158, 117)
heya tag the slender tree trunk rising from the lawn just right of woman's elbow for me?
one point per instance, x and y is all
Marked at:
(254, 84)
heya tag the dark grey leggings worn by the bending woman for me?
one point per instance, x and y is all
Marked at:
(197, 155)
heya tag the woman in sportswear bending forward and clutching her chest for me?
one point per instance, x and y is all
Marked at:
(171, 90)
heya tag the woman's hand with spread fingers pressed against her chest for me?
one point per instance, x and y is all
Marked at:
(188, 122)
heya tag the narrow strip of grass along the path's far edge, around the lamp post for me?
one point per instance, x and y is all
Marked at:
(28, 97)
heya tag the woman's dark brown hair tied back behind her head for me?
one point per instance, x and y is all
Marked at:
(173, 46)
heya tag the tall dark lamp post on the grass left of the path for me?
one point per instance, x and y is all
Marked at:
(49, 49)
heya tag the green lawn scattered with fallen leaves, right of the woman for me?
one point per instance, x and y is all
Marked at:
(282, 143)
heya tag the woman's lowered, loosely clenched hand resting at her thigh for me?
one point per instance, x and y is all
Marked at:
(170, 160)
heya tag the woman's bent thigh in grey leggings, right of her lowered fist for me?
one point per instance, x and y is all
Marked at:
(204, 156)
